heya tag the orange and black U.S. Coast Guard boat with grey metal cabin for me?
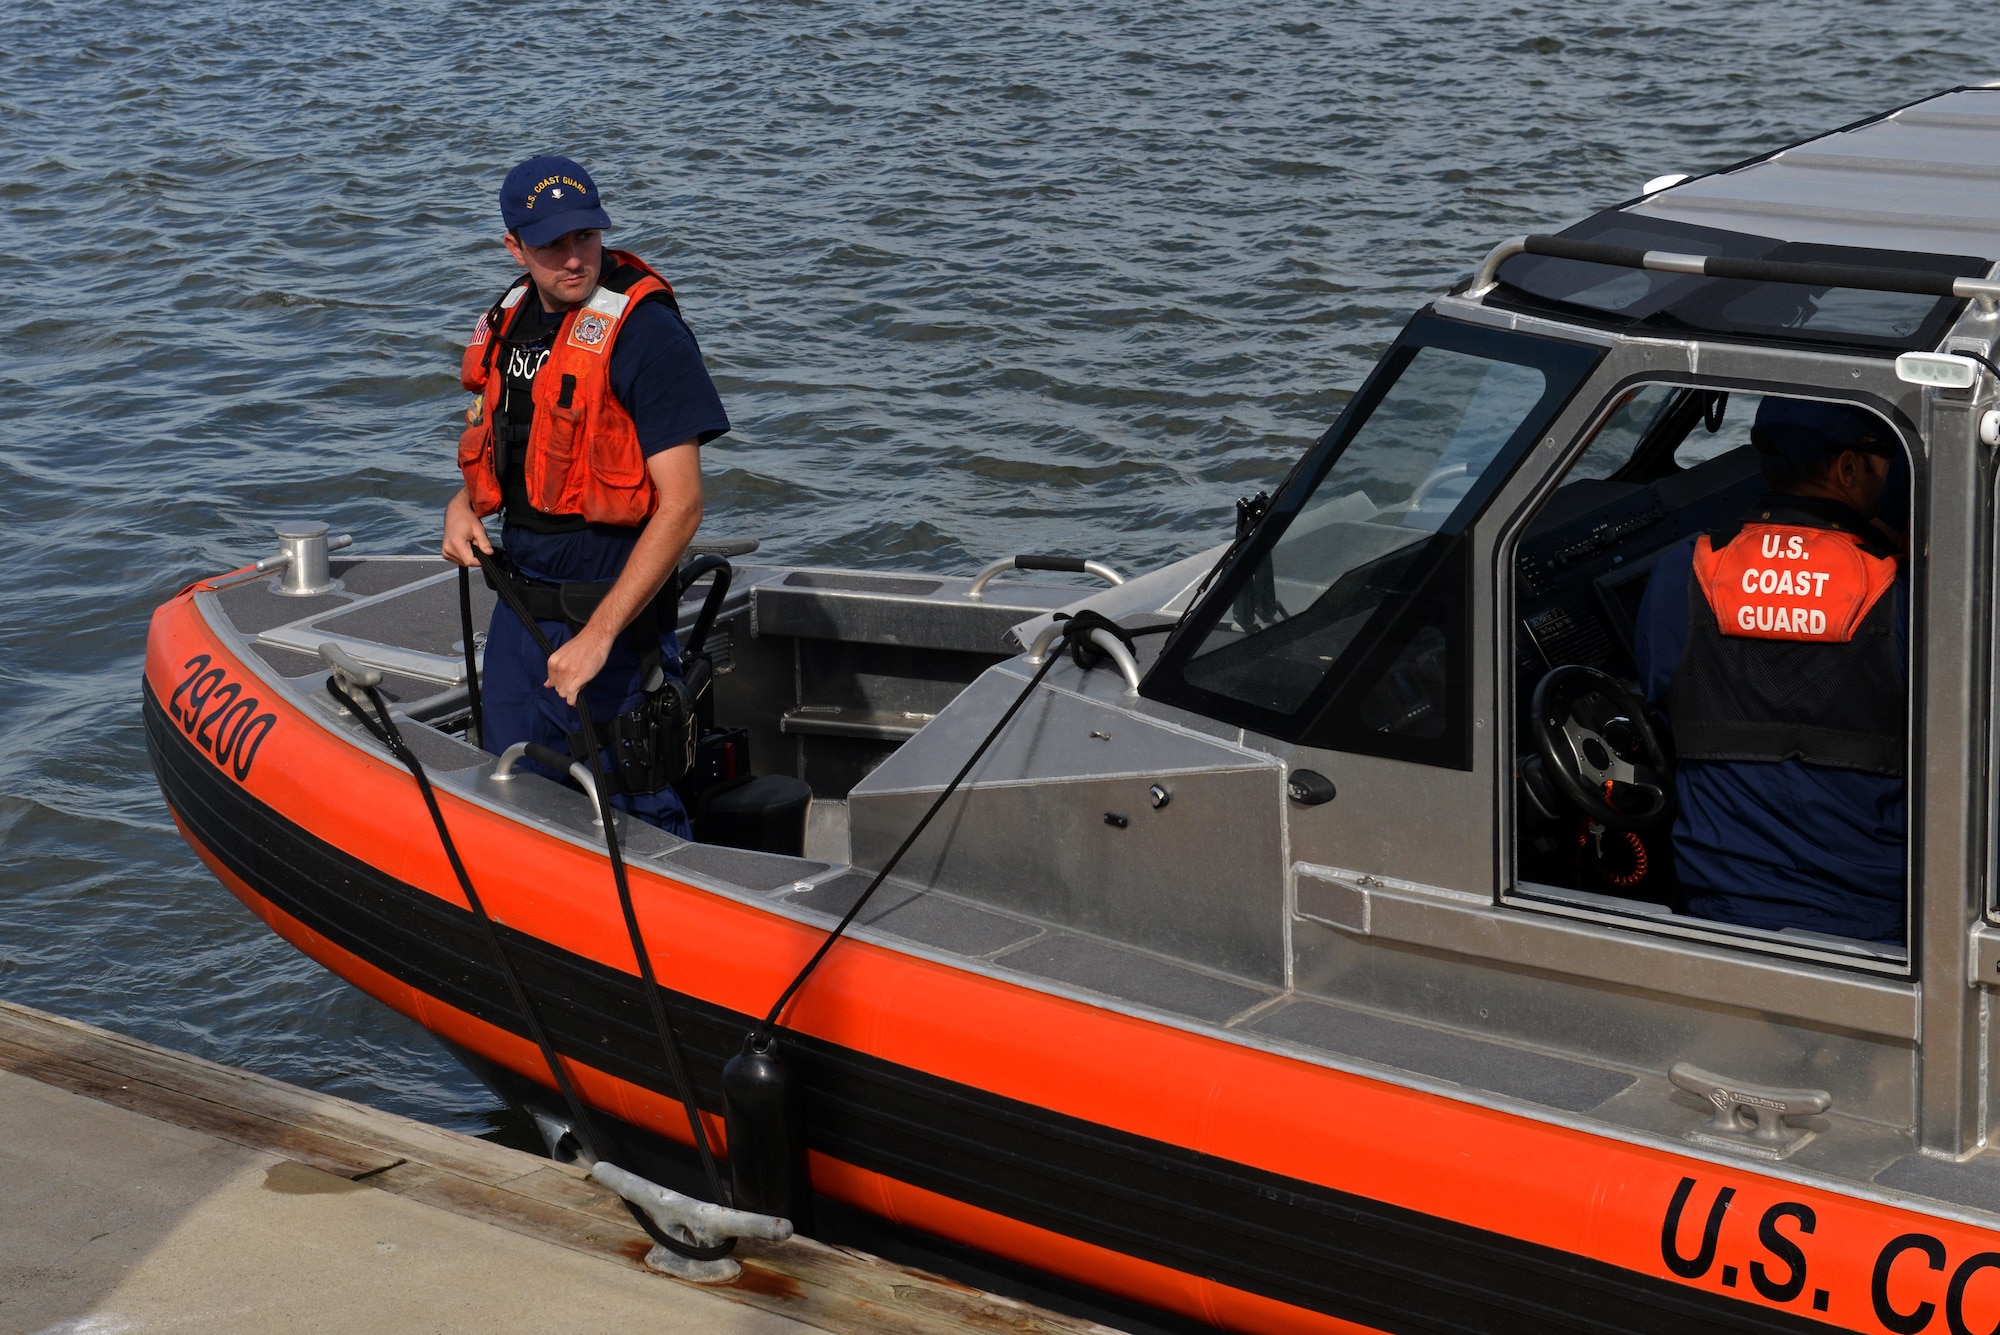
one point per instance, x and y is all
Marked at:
(1279, 968)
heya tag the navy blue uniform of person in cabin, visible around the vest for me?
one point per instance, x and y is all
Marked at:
(1777, 844)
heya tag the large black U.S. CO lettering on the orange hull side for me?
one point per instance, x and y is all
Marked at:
(1913, 1280)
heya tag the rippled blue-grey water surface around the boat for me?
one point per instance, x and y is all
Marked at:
(975, 279)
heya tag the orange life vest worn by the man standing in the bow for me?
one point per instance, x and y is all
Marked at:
(583, 447)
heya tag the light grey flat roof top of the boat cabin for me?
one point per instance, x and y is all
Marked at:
(1923, 179)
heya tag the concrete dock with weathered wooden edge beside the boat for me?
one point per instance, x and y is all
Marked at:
(145, 1190)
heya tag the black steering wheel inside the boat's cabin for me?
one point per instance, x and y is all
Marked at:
(1601, 748)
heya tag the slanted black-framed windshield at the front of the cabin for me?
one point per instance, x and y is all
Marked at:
(1357, 573)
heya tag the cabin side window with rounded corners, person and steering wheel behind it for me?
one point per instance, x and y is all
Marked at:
(1711, 676)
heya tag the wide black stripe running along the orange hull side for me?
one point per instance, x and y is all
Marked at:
(1281, 1238)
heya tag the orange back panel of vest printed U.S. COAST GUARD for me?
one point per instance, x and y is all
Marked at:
(1785, 583)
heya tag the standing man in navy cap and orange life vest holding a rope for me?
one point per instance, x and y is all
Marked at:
(593, 407)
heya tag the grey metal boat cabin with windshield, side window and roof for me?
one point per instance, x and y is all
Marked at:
(1485, 519)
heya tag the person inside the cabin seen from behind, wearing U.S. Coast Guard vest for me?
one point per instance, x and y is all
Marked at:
(1779, 651)
